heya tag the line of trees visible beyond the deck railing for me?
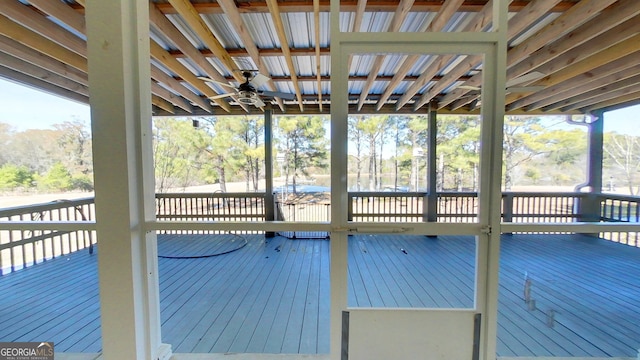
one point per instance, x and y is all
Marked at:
(384, 153)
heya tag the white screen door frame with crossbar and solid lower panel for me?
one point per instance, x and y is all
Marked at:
(492, 45)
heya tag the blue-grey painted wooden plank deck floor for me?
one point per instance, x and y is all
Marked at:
(273, 296)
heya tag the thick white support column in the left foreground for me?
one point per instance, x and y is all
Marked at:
(118, 54)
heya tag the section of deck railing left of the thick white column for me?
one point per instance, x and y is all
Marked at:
(23, 248)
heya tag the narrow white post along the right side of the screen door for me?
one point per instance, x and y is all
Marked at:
(490, 194)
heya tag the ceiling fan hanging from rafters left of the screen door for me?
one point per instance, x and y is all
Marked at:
(247, 92)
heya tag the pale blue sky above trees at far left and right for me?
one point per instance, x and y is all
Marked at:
(25, 108)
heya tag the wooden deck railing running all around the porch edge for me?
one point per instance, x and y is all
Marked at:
(23, 248)
